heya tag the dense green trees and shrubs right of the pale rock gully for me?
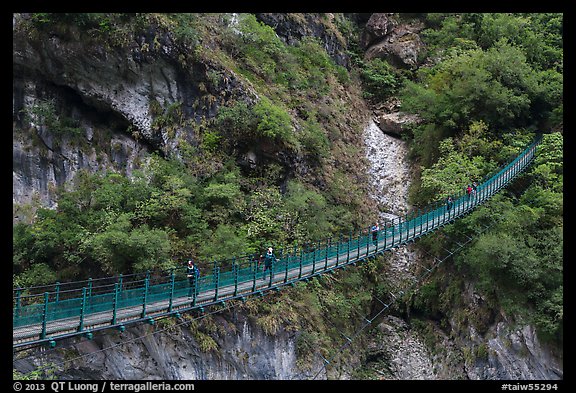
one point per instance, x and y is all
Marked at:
(499, 80)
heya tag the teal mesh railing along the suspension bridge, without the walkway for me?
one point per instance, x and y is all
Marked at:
(51, 306)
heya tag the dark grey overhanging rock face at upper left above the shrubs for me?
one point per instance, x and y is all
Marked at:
(118, 98)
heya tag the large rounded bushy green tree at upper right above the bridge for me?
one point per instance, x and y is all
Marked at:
(496, 86)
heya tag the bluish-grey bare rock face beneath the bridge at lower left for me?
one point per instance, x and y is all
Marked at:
(242, 352)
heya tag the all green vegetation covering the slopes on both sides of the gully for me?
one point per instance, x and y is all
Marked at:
(494, 81)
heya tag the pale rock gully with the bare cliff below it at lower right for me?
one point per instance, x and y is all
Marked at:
(502, 350)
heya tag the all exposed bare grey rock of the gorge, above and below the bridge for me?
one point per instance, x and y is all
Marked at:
(114, 106)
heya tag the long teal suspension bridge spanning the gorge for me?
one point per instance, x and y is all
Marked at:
(44, 315)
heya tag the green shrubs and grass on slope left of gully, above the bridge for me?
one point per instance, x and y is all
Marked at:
(204, 204)
